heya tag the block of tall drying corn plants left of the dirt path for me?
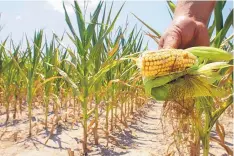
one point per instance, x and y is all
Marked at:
(76, 84)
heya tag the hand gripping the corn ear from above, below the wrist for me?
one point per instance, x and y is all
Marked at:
(184, 32)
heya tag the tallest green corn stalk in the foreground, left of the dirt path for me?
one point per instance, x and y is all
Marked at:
(86, 52)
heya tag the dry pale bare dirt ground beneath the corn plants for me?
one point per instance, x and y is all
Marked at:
(144, 136)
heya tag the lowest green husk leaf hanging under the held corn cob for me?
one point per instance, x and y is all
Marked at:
(186, 87)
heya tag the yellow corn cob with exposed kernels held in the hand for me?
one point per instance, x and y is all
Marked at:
(165, 62)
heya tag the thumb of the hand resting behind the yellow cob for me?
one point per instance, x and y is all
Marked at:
(172, 40)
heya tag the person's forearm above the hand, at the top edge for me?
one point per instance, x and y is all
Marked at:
(199, 10)
